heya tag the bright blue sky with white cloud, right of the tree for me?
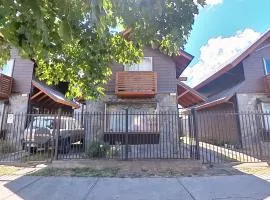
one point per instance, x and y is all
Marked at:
(235, 21)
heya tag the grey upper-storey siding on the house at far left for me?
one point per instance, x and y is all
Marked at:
(22, 75)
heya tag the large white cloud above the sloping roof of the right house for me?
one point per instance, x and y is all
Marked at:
(216, 52)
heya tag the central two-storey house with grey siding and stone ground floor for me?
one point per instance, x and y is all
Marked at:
(136, 101)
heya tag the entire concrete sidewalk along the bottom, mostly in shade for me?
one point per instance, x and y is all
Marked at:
(188, 188)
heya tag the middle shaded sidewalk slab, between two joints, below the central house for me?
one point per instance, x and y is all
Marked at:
(138, 189)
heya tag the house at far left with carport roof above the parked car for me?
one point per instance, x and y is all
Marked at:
(21, 93)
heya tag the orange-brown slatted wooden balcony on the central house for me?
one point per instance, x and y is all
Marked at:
(136, 84)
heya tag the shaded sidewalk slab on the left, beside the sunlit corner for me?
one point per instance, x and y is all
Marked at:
(58, 188)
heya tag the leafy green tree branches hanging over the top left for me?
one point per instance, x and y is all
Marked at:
(75, 41)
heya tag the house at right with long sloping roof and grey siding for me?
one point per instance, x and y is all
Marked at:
(241, 85)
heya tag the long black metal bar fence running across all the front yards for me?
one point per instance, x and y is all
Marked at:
(210, 136)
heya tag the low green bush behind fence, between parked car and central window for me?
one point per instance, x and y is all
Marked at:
(97, 149)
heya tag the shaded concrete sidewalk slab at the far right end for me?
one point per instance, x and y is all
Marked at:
(227, 187)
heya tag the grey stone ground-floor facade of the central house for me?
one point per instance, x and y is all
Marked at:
(169, 139)
